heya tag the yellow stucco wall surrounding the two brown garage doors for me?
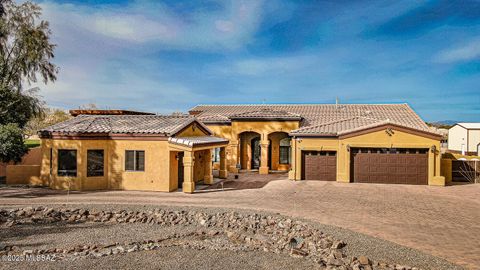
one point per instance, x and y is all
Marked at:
(374, 139)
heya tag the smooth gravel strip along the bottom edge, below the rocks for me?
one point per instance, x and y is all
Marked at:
(177, 258)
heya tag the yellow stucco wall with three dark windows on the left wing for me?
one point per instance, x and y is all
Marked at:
(155, 177)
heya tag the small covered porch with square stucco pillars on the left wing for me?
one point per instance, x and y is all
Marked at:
(191, 161)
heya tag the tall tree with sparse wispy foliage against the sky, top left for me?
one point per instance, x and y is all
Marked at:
(25, 48)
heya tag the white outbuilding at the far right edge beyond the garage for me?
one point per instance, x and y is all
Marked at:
(464, 138)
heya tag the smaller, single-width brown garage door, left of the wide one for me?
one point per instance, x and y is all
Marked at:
(319, 165)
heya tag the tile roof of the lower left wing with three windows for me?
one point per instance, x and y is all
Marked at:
(166, 125)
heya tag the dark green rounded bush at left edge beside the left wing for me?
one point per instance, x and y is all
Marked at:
(12, 147)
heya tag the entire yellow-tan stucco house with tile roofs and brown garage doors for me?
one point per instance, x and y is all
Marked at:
(345, 143)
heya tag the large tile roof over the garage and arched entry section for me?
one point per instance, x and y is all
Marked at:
(322, 119)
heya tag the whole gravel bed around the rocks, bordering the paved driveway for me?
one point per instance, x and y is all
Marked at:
(188, 245)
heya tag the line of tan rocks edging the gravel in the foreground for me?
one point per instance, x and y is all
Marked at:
(218, 231)
